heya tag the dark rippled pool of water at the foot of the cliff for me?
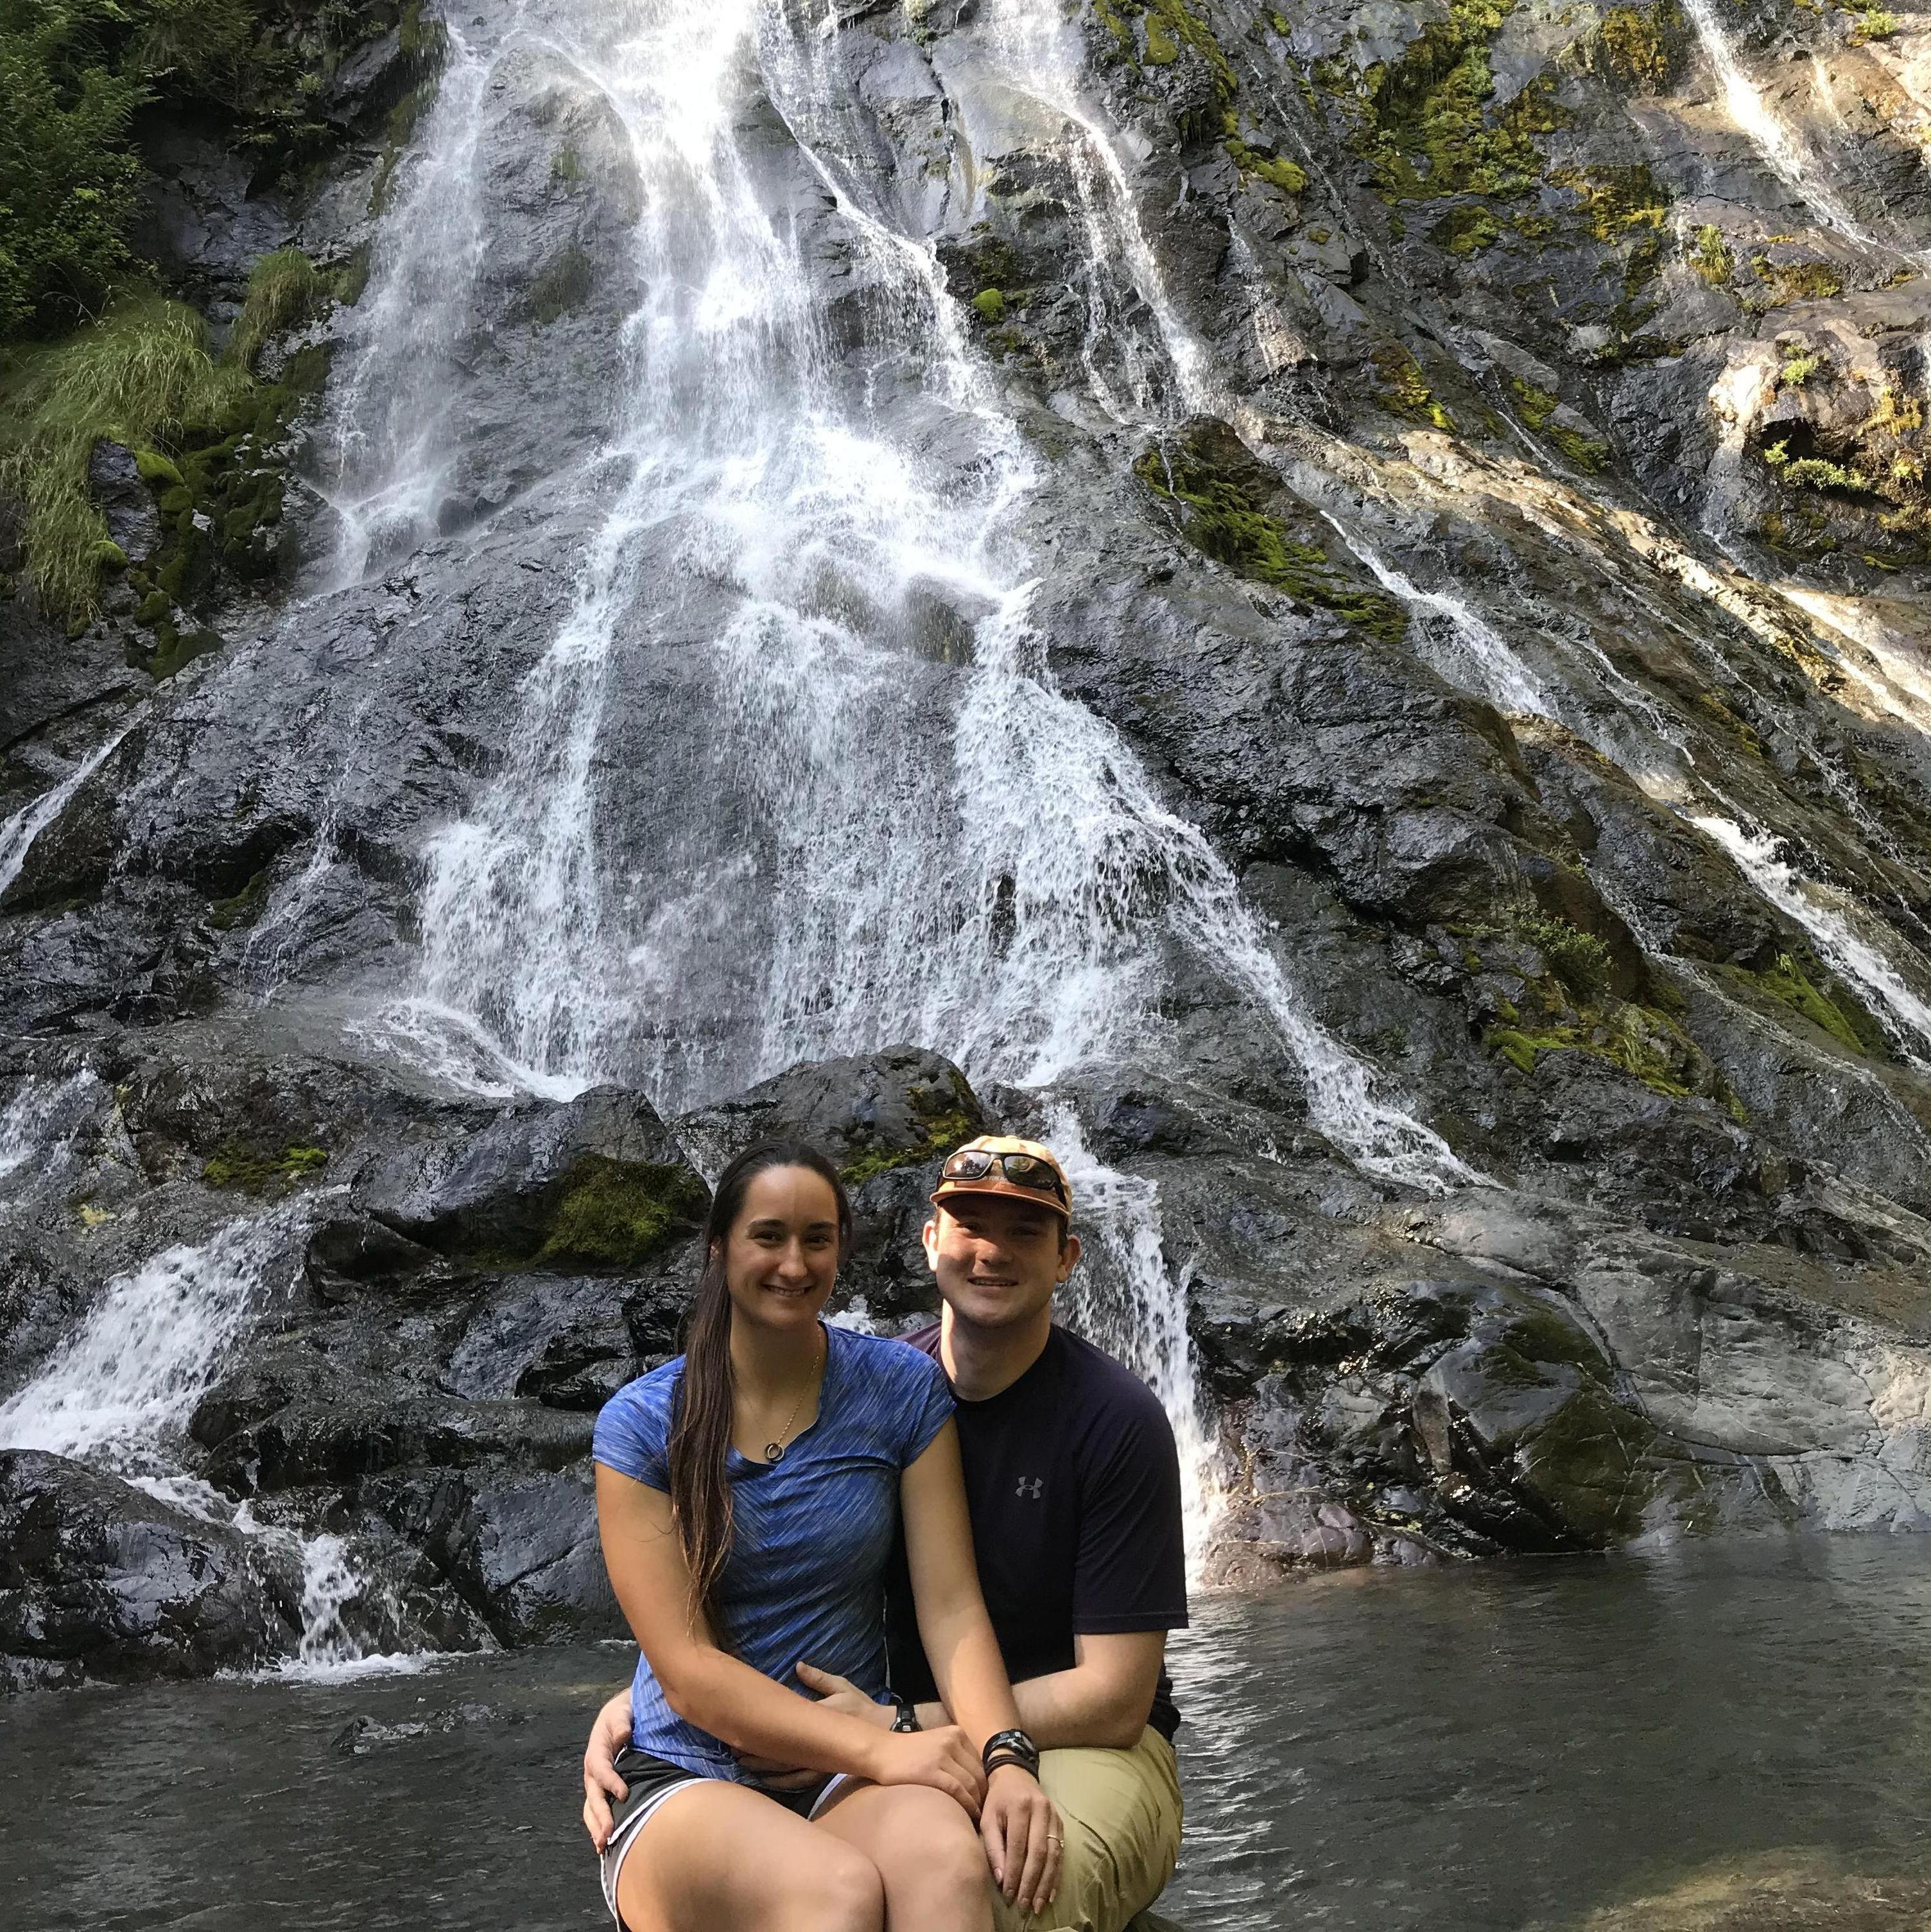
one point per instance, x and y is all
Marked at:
(1735, 1736)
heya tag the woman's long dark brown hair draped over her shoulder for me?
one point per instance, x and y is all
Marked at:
(702, 1417)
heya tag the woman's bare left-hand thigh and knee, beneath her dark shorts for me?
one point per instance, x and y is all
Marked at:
(721, 1860)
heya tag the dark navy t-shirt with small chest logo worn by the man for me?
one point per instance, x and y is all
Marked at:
(1075, 1491)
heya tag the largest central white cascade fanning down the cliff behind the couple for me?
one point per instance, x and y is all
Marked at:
(1015, 901)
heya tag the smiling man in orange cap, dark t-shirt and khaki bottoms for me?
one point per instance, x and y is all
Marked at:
(1075, 1494)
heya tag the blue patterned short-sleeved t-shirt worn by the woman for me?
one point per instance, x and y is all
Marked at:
(810, 1535)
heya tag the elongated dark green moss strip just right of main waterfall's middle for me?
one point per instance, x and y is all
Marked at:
(1216, 486)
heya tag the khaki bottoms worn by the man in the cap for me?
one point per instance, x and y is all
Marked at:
(1123, 1836)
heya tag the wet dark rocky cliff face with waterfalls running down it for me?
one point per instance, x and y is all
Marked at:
(1329, 602)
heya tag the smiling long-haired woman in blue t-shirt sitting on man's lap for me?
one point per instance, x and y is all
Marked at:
(748, 1496)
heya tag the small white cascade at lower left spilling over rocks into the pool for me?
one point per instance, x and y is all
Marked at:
(123, 1388)
